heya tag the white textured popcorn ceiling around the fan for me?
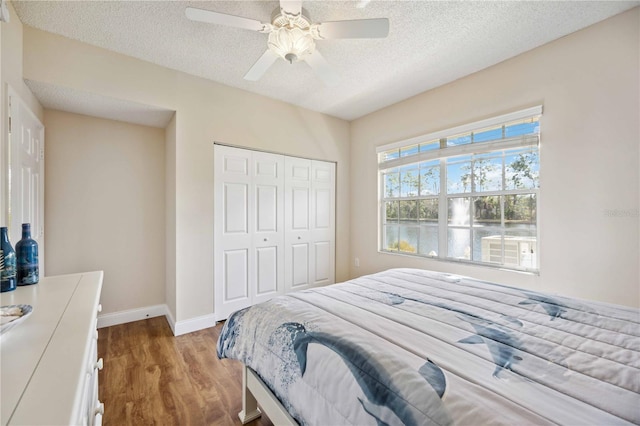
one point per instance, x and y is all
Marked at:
(430, 43)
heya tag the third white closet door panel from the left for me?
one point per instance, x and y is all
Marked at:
(297, 224)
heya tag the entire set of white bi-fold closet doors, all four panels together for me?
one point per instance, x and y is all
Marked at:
(274, 226)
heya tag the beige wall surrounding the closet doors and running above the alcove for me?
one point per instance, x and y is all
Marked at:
(205, 112)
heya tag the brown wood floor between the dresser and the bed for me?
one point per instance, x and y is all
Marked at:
(151, 377)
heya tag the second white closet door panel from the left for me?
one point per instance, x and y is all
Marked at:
(267, 275)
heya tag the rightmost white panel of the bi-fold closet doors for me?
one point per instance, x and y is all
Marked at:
(322, 226)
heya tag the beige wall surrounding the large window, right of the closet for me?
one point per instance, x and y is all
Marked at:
(590, 136)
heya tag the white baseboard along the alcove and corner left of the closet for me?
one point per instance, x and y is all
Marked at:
(178, 328)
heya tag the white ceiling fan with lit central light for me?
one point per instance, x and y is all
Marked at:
(292, 36)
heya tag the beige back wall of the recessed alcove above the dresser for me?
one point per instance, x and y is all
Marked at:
(105, 205)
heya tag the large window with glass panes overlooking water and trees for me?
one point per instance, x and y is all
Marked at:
(467, 194)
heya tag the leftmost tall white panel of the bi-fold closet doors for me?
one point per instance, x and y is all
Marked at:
(233, 230)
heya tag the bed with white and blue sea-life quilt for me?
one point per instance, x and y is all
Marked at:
(414, 347)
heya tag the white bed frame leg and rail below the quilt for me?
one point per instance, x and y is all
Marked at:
(254, 393)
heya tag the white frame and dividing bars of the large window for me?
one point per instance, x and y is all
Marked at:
(442, 154)
